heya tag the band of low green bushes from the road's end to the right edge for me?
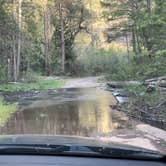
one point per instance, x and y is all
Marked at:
(118, 66)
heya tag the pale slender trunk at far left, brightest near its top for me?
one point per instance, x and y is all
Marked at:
(19, 38)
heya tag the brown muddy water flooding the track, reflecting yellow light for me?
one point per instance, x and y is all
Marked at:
(81, 112)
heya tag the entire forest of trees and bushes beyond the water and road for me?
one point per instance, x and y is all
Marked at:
(123, 39)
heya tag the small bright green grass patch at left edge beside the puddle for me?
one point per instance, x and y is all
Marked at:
(5, 111)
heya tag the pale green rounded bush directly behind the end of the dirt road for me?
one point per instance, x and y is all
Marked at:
(98, 61)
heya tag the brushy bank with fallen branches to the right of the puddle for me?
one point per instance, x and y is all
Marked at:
(145, 106)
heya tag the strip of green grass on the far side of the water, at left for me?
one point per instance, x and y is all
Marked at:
(39, 85)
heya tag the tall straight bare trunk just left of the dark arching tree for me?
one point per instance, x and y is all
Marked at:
(46, 40)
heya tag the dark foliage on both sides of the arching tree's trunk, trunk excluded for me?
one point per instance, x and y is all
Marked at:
(73, 19)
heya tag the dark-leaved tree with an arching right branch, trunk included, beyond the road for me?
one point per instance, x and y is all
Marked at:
(68, 23)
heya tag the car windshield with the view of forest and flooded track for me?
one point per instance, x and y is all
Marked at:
(81, 71)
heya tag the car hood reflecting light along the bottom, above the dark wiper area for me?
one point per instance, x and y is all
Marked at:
(60, 140)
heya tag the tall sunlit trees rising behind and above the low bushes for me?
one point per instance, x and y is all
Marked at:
(39, 35)
